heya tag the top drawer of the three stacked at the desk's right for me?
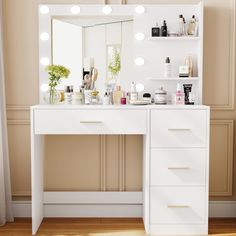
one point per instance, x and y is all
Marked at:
(178, 128)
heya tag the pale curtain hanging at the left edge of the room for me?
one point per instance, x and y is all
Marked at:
(5, 184)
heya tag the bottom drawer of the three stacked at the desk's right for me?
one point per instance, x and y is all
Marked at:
(177, 205)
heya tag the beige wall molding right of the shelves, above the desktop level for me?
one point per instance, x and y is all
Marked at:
(232, 61)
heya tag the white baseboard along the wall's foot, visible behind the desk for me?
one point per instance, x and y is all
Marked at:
(23, 209)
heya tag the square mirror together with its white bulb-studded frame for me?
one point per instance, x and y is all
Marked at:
(79, 36)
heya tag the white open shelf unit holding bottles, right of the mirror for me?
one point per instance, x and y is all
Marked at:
(154, 50)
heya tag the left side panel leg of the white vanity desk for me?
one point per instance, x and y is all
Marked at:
(37, 157)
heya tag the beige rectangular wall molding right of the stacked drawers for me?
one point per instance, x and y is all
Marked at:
(230, 157)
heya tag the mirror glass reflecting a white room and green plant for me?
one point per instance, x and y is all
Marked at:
(104, 43)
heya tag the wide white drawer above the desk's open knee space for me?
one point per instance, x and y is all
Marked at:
(90, 121)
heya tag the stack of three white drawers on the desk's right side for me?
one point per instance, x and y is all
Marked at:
(179, 172)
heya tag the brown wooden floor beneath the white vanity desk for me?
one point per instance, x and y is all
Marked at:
(101, 227)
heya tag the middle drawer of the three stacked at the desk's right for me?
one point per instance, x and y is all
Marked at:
(178, 166)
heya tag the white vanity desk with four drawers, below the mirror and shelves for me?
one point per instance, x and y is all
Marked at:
(175, 160)
